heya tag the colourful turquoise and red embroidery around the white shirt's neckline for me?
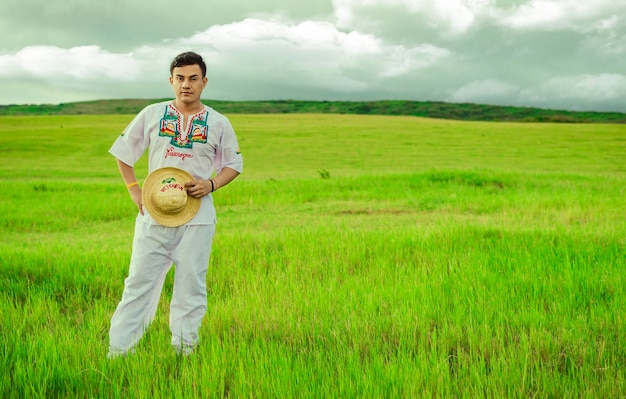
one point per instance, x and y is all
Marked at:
(170, 126)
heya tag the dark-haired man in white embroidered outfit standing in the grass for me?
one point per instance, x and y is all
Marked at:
(183, 134)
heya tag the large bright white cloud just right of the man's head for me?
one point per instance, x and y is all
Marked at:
(310, 54)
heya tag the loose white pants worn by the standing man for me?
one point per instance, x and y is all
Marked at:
(155, 249)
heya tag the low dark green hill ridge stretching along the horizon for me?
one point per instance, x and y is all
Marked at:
(430, 109)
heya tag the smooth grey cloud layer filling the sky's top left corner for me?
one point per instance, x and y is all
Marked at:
(123, 25)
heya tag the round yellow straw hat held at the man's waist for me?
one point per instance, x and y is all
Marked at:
(166, 199)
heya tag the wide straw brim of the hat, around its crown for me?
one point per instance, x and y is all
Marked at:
(154, 182)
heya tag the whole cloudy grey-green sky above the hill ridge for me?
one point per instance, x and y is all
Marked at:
(565, 54)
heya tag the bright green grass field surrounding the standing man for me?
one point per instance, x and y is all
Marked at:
(356, 256)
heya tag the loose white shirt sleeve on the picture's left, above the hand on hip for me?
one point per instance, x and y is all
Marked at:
(133, 142)
